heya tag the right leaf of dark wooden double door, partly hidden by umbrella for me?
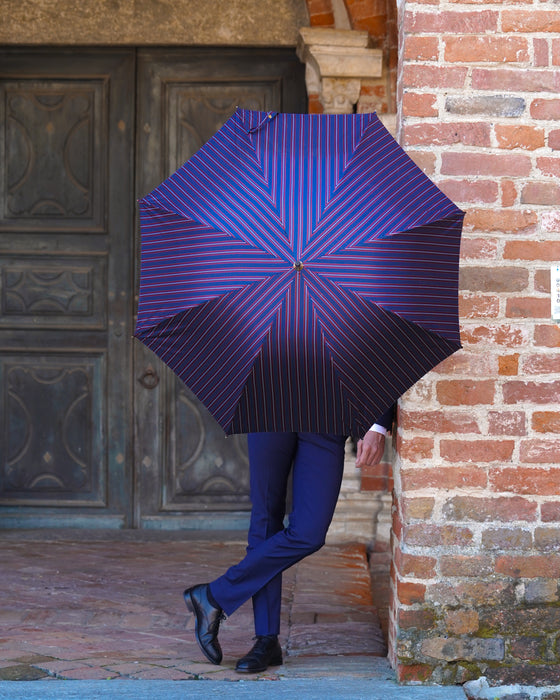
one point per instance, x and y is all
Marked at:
(189, 474)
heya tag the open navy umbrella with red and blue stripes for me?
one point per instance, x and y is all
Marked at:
(299, 273)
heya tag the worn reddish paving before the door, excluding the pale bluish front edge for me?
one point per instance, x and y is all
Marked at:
(104, 607)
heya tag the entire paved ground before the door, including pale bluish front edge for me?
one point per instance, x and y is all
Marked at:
(106, 611)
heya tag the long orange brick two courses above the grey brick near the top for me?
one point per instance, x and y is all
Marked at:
(474, 49)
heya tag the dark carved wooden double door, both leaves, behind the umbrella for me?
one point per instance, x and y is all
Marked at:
(94, 431)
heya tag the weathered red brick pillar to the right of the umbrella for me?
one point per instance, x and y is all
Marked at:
(476, 536)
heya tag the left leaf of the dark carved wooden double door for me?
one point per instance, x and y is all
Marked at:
(66, 147)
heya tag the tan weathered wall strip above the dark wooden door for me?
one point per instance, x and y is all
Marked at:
(153, 22)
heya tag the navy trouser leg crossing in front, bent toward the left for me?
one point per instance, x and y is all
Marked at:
(317, 475)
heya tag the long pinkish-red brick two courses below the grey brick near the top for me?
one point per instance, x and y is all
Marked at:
(485, 164)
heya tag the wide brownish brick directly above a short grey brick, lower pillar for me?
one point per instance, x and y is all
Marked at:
(483, 509)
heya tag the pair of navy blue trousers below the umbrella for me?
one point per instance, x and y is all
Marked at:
(317, 461)
